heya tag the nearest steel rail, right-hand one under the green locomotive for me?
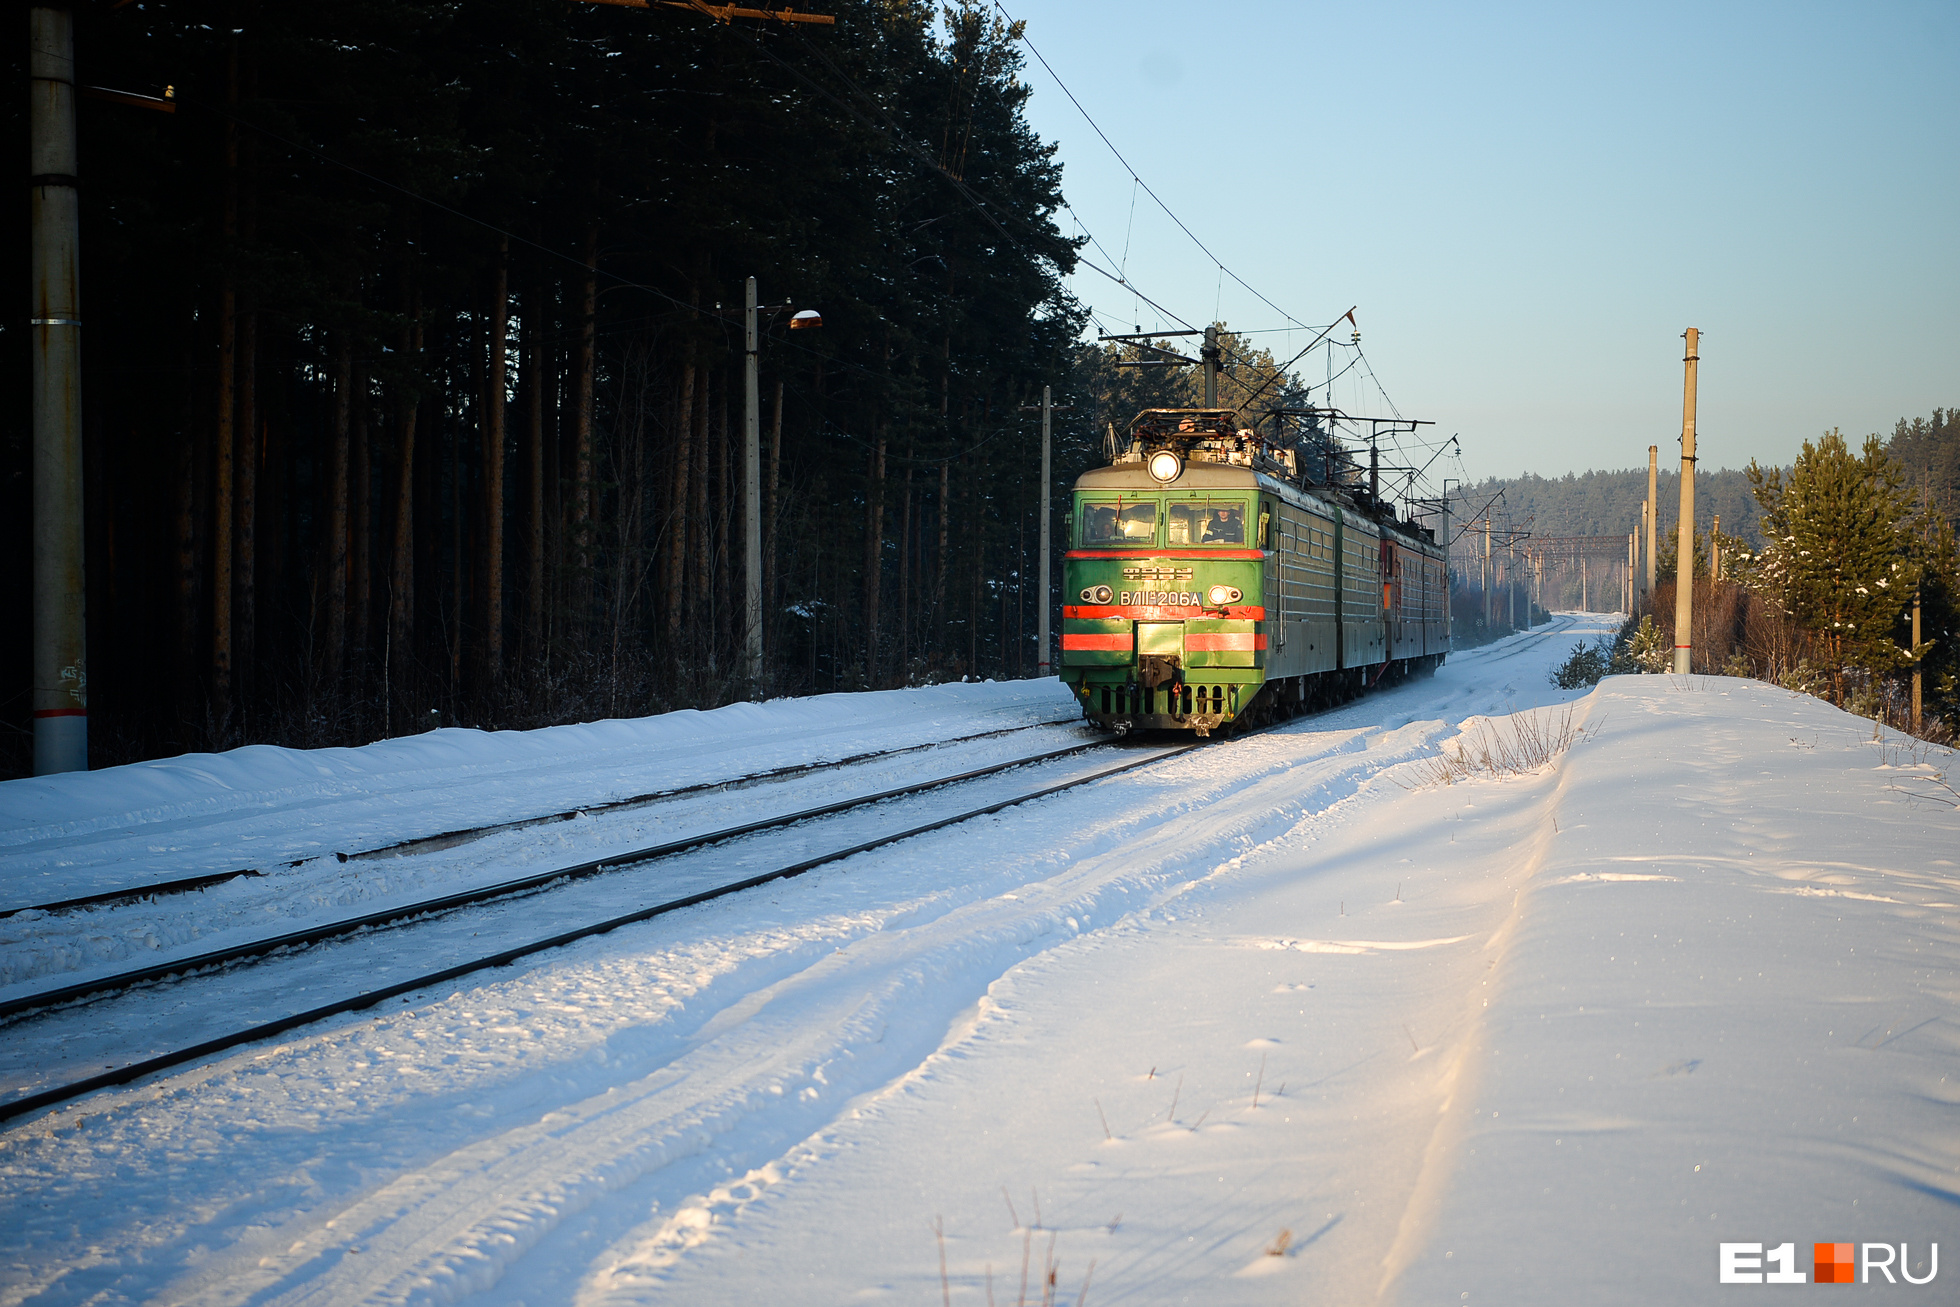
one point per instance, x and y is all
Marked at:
(136, 1071)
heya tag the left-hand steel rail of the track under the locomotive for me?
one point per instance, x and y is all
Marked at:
(483, 895)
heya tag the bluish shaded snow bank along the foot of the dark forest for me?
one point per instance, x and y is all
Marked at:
(260, 806)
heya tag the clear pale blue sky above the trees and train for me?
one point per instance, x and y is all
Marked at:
(1532, 203)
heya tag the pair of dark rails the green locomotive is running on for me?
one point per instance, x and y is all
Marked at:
(507, 891)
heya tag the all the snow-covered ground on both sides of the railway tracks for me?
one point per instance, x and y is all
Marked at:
(1281, 1020)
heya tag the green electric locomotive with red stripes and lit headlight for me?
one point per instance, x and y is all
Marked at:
(1212, 581)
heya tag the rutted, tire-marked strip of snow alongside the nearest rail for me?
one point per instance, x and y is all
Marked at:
(710, 1059)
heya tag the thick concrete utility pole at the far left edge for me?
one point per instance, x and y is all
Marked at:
(60, 701)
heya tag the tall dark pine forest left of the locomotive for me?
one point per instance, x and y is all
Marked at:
(415, 363)
